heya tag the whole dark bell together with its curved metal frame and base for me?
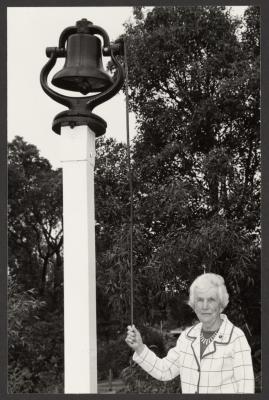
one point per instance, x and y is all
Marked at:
(83, 72)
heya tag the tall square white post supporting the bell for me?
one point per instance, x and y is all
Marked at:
(80, 348)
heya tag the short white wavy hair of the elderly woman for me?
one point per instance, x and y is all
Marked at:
(209, 280)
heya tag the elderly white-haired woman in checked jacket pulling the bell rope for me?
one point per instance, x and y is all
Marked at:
(212, 356)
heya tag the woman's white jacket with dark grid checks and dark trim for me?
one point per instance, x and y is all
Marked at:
(225, 366)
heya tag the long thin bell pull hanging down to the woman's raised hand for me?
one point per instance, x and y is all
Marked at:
(130, 173)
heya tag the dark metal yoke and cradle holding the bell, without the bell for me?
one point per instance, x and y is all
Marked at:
(80, 108)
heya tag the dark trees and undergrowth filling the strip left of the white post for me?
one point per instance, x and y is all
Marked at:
(35, 292)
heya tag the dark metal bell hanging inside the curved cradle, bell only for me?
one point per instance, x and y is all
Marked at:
(83, 70)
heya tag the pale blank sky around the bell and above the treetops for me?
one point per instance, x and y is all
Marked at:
(30, 110)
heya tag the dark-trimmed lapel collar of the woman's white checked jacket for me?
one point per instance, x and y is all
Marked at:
(223, 337)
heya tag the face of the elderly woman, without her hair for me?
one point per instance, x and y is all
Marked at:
(207, 307)
